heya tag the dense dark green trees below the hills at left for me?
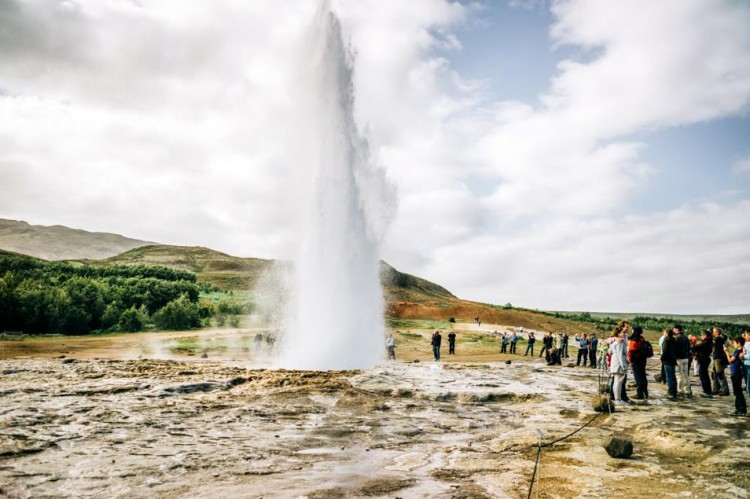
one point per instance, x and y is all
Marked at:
(40, 297)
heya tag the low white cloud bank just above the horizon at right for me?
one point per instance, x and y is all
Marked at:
(688, 260)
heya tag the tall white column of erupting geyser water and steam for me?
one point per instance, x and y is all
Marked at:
(335, 312)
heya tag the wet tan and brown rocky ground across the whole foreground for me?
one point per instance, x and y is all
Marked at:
(161, 428)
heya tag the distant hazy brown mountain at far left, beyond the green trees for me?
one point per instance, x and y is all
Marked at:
(57, 242)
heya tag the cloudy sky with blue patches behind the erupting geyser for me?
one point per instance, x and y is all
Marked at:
(558, 155)
